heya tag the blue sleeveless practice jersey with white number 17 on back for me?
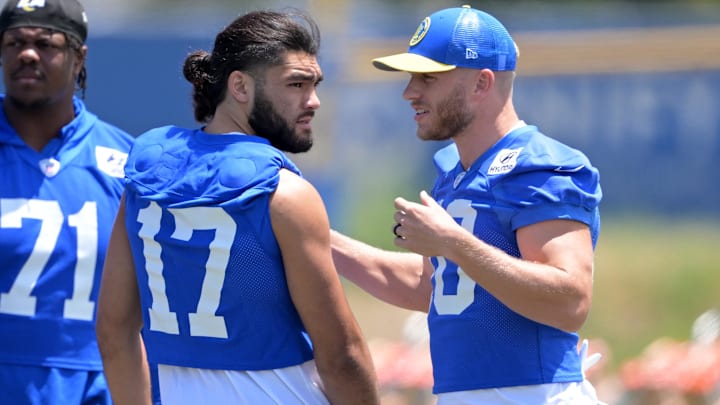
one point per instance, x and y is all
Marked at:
(209, 269)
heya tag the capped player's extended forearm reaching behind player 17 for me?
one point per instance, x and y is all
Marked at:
(394, 277)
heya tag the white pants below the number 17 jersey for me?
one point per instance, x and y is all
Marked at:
(192, 386)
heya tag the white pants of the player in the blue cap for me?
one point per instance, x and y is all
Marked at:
(578, 393)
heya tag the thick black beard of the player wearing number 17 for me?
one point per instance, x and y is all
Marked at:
(269, 124)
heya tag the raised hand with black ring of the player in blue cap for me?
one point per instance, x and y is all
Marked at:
(425, 227)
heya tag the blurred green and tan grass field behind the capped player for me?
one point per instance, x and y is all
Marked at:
(653, 277)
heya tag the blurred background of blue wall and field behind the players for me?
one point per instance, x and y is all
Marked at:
(634, 84)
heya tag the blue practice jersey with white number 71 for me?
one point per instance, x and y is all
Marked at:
(57, 207)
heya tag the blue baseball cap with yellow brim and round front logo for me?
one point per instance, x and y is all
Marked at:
(455, 37)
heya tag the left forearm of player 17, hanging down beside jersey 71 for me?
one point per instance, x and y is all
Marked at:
(126, 370)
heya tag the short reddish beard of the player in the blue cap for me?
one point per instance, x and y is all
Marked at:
(452, 118)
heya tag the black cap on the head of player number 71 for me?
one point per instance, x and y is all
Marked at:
(67, 16)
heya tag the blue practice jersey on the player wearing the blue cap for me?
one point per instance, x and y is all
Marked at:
(476, 341)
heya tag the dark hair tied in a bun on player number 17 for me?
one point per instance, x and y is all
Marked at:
(253, 41)
